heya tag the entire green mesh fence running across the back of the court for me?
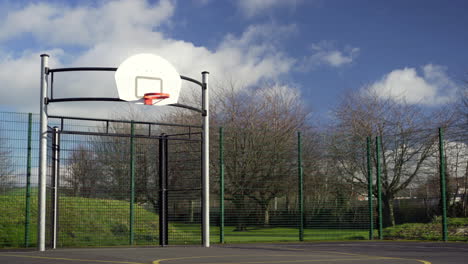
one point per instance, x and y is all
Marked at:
(265, 185)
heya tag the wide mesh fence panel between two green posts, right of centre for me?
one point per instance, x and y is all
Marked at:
(336, 188)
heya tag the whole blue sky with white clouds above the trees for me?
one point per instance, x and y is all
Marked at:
(414, 50)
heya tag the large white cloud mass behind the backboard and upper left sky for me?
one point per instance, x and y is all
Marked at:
(110, 32)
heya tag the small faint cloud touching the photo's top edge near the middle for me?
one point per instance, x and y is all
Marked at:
(250, 8)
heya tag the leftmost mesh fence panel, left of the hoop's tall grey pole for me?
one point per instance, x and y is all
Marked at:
(18, 179)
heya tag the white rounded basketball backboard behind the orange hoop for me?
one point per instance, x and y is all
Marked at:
(147, 73)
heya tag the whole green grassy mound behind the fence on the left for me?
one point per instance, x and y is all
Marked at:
(84, 222)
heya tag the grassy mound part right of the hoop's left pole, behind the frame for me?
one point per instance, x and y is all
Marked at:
(98, 222)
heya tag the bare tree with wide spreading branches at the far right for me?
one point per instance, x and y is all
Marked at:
(408, 140)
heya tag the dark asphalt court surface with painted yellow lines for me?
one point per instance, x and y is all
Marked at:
(330, 252)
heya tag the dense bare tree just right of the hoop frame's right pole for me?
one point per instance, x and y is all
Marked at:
(260, 137)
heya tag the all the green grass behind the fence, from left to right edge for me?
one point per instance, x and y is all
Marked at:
(105, 222)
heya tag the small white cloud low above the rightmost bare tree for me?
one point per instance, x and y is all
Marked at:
(433, 87)
